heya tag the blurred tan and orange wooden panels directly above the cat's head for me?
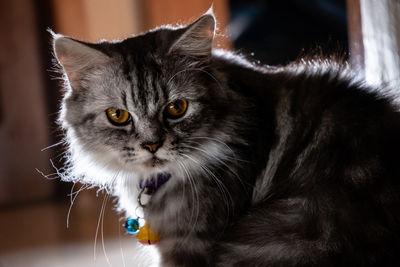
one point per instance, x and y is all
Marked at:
(93, 20)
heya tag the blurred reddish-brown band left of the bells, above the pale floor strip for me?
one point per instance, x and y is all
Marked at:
(45, 223)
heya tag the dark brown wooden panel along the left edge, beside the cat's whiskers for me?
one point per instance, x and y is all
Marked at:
(24, 128)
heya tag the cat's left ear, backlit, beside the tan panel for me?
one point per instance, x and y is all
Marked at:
(76, 57)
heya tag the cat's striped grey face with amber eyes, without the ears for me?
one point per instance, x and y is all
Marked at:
(143, 120)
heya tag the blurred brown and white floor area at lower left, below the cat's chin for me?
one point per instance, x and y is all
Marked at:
(37, 235)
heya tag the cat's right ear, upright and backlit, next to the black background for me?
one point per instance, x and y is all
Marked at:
(196, 39)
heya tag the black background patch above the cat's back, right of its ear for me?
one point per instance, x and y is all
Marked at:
(278, 32)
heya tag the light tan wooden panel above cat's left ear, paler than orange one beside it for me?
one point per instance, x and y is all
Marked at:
(92, 20)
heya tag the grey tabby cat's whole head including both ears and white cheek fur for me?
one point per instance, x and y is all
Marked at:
(147, 104)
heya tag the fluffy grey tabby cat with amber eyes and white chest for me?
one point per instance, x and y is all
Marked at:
(292, 165)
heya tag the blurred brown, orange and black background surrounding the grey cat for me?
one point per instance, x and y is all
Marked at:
(33, 209)
